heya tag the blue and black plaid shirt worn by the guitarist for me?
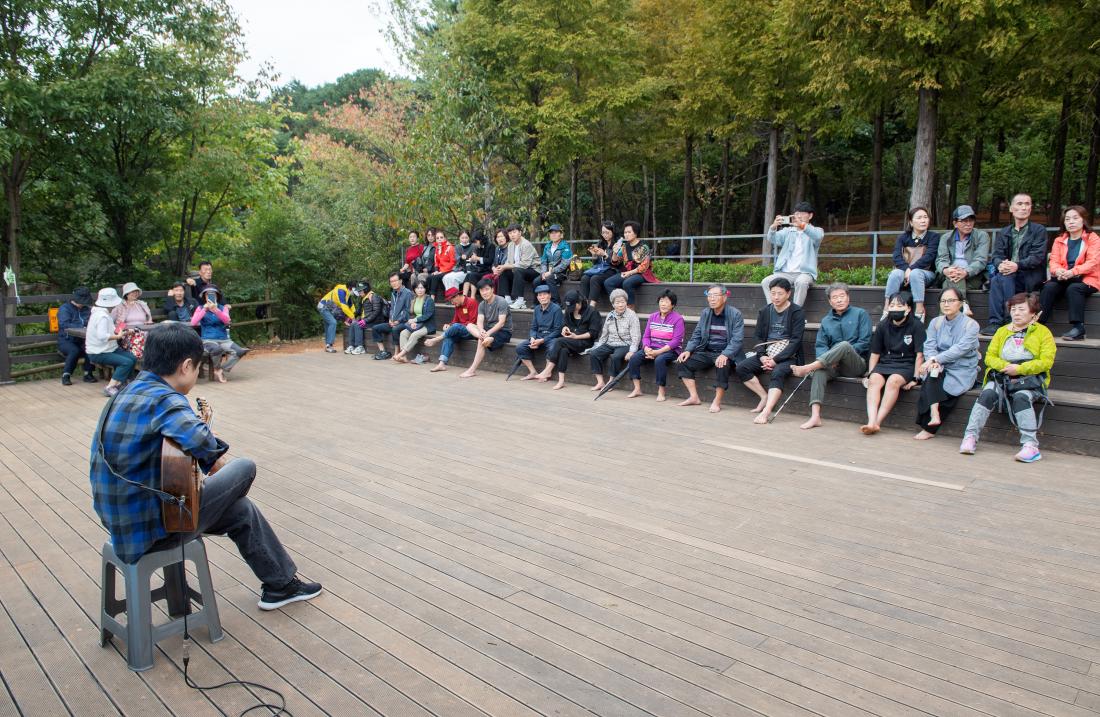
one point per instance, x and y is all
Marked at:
(144, 414)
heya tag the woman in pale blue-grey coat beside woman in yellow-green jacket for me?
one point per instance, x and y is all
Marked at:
(951, 363)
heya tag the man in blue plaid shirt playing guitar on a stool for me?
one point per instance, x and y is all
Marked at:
(126, 470)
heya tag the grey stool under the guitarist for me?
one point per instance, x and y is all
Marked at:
(139, 631)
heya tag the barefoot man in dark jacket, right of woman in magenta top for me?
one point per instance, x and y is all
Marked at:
(717, 343)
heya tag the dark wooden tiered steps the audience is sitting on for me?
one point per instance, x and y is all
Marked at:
(1072, 425)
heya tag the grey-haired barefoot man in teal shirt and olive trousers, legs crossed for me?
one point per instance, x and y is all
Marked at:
(842, 349)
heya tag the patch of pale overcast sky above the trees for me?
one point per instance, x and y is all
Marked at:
(316, 41)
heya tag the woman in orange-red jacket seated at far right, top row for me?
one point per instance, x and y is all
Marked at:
(1075, 270)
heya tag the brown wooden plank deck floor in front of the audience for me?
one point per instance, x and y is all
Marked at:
(503, 549)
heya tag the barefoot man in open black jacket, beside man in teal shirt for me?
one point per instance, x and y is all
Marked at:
(779, 332)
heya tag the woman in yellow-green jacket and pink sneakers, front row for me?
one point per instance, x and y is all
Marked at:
(1018, 373)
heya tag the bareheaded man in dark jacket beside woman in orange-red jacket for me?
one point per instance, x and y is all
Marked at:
(1019, 261)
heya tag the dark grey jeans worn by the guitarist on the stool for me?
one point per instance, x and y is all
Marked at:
(226, 511)
